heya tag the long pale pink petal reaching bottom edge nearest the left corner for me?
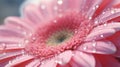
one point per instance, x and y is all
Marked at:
(19, 60)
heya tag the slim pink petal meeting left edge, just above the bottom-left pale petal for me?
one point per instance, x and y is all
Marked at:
(9, 54)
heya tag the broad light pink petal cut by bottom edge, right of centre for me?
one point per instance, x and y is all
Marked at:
(83, 59)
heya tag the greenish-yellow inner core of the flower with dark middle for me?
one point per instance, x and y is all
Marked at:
(59, 37)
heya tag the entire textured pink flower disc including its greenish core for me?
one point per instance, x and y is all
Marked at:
(52, 38)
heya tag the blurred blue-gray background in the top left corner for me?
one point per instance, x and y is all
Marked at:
(9, 8)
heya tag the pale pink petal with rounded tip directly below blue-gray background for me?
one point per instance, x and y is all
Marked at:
(18, 23)
